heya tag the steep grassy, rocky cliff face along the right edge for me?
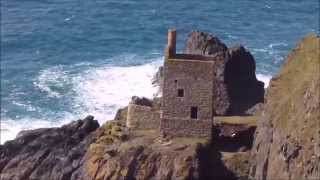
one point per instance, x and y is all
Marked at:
(287, 143)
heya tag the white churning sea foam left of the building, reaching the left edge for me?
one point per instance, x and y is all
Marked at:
(98, 91)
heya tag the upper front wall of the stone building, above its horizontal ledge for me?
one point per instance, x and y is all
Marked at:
(195, 78)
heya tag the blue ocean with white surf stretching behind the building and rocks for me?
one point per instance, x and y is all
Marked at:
(64, 59)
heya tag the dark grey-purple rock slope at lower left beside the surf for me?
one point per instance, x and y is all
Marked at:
(49, 153)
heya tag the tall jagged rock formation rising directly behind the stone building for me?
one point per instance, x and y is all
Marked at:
(236, 88)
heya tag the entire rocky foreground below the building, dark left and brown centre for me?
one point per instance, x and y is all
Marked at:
(80, 150)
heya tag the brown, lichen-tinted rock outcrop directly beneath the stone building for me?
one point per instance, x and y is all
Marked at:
(140, 154)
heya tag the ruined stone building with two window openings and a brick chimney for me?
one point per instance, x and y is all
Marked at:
(187, 102)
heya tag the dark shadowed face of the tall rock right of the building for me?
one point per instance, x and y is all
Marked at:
(243, 88)
